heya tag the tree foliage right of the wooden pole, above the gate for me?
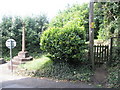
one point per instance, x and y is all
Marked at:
(110, 23)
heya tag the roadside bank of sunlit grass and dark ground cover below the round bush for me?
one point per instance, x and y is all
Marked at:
(45, 67)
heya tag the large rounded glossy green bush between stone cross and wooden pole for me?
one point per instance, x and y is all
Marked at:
(67, 43)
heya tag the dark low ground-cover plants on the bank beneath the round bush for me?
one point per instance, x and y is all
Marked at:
(64, 71)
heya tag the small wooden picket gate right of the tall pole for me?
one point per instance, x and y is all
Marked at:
(101, 54)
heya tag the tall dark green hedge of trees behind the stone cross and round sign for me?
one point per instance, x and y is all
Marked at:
(12, 28)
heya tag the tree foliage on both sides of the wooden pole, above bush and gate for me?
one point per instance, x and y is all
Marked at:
(106, 17)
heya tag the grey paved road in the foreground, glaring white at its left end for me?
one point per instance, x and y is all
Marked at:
(8, 80)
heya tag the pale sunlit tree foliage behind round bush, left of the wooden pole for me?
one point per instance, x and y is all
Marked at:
(74, 13)
